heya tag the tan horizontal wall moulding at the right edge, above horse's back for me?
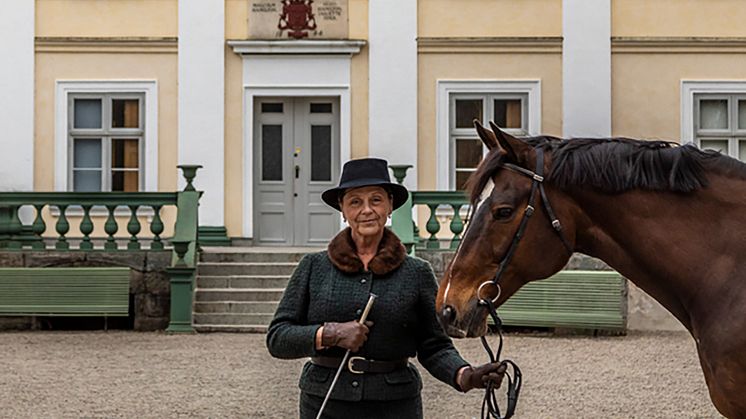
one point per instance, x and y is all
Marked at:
(677, 45)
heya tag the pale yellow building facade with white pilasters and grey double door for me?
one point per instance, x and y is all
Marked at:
(108, 95)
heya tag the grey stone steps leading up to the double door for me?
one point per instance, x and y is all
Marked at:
(238, 288)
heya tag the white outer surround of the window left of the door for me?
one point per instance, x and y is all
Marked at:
(149, 147)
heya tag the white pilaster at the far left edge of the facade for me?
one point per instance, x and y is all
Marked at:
(17, 106)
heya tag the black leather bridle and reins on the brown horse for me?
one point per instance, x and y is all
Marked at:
(490, 408)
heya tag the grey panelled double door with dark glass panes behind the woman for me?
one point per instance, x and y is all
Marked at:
(289, 209)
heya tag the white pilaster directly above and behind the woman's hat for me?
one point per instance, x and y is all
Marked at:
(393, 83)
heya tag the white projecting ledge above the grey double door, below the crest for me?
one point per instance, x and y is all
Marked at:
(303, 47)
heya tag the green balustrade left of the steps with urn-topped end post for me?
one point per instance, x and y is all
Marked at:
(105, 207)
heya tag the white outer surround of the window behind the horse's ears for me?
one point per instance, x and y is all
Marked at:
(448, 89)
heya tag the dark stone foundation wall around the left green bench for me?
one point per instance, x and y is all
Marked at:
(149, 284)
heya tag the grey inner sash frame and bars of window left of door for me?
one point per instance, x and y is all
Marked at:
(106, 134)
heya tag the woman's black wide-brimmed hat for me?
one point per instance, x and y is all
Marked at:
(365, 172)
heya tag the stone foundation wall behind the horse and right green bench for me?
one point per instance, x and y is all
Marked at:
(643, 312)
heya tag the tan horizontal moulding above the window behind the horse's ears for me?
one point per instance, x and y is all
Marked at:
(491, 45)
